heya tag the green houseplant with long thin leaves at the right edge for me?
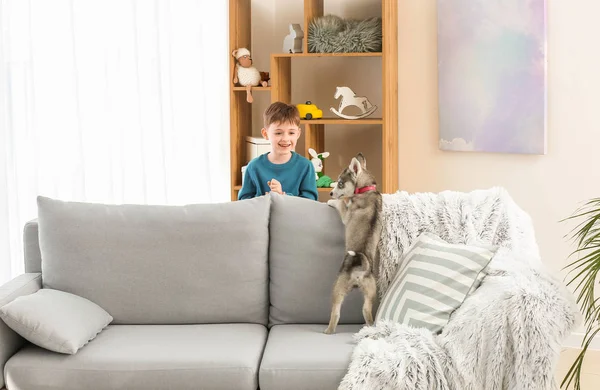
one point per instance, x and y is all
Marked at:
(584, 273)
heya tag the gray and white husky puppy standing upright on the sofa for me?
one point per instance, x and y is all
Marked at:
(359, 203)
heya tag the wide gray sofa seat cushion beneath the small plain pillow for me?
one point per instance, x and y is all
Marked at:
(220, 356)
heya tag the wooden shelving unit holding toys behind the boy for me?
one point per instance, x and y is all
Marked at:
(281, 90)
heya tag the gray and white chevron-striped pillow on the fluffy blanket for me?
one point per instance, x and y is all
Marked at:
(434, 279)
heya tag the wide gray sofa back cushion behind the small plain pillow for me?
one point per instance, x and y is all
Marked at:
(144, 264)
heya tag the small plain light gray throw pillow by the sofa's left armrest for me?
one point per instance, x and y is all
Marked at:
(55, 320)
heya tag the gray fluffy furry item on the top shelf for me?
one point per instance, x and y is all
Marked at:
(332, 34)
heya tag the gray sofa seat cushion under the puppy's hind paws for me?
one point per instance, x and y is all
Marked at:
(303, 357)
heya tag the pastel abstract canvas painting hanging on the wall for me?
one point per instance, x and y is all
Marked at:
(492, 75)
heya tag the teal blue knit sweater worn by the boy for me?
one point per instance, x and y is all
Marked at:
(297, 177)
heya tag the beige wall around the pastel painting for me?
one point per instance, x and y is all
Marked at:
(548, 187)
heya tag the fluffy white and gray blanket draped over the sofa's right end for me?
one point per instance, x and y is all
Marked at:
(506, 335)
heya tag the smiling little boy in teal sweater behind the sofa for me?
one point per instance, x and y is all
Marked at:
(281, 170)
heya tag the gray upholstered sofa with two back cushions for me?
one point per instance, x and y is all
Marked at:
(219, 296)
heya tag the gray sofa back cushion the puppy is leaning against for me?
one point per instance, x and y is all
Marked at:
(306, 249)
